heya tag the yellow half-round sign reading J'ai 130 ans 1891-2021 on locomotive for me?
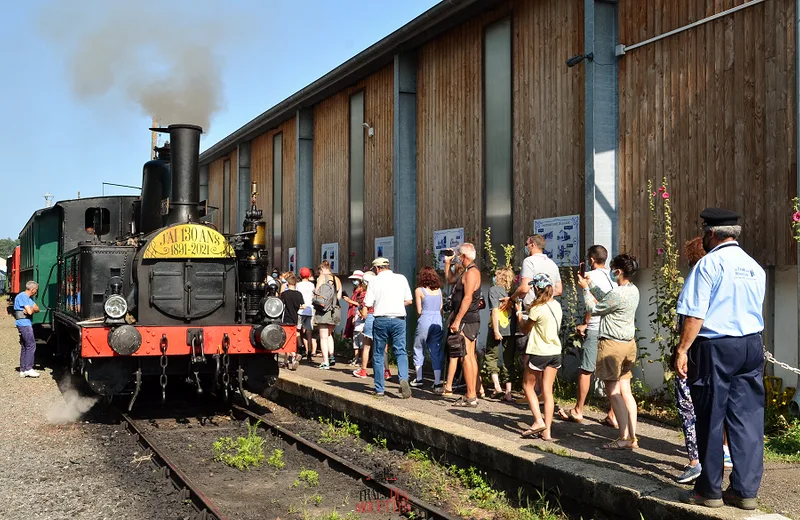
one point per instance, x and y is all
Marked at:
(189, 241)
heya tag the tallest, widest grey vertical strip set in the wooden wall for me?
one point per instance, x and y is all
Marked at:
(497, 111)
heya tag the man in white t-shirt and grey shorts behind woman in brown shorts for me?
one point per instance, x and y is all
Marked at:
(598, 273)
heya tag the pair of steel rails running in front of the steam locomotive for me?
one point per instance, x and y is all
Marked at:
(386, 498)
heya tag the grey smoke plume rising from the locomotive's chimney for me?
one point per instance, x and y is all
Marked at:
(163, 56)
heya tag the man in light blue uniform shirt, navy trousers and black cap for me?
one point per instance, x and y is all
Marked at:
(721, 350)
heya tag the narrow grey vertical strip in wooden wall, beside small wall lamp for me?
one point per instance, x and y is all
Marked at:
(357, 180)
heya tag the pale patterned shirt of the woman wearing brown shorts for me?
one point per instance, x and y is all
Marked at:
(617, 311)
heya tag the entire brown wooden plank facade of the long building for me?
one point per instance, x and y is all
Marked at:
(710, 108)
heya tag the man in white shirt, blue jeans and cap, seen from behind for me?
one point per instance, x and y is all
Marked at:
(389, 294)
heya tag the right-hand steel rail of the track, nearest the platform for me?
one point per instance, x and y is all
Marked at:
(420, 508)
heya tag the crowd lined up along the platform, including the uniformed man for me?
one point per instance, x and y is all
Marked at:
(718, 363)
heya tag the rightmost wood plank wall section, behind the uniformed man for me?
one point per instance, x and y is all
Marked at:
(727, 107)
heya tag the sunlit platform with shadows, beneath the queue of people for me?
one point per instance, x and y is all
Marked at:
(491, 432)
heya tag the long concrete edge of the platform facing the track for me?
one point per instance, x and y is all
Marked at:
(617, 493)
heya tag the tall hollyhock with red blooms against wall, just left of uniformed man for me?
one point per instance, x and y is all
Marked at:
(667, 279)
